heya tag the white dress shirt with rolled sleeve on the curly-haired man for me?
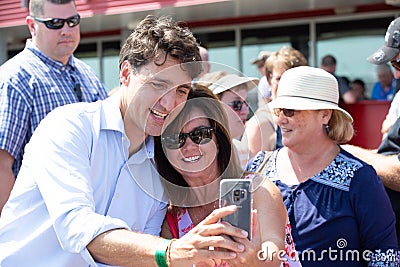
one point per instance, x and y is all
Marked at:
(75, 183)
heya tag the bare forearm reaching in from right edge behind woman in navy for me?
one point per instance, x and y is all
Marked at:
(387, 167)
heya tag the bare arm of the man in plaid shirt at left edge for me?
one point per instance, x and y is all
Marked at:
(7, 178)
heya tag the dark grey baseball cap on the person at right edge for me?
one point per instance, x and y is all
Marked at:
(392, 45)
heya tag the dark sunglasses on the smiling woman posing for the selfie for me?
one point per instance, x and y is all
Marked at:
(200, 135)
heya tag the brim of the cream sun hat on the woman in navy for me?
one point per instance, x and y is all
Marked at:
(300, 103)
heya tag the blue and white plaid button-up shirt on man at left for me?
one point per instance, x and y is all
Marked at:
(31, 85)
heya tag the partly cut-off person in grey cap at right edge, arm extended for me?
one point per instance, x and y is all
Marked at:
(387, 159)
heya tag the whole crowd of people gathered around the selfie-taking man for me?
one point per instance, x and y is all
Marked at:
(132, 178)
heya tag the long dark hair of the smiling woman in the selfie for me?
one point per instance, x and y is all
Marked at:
(201, 98)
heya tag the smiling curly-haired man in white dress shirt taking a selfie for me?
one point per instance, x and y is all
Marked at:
(88, 192)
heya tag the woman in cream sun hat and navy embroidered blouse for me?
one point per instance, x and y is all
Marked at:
(336, 203)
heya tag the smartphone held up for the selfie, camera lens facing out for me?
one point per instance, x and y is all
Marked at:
(237, 192)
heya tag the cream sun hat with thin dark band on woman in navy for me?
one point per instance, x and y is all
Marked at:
(307, 88)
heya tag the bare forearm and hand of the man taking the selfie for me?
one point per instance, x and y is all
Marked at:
(125, 248)
